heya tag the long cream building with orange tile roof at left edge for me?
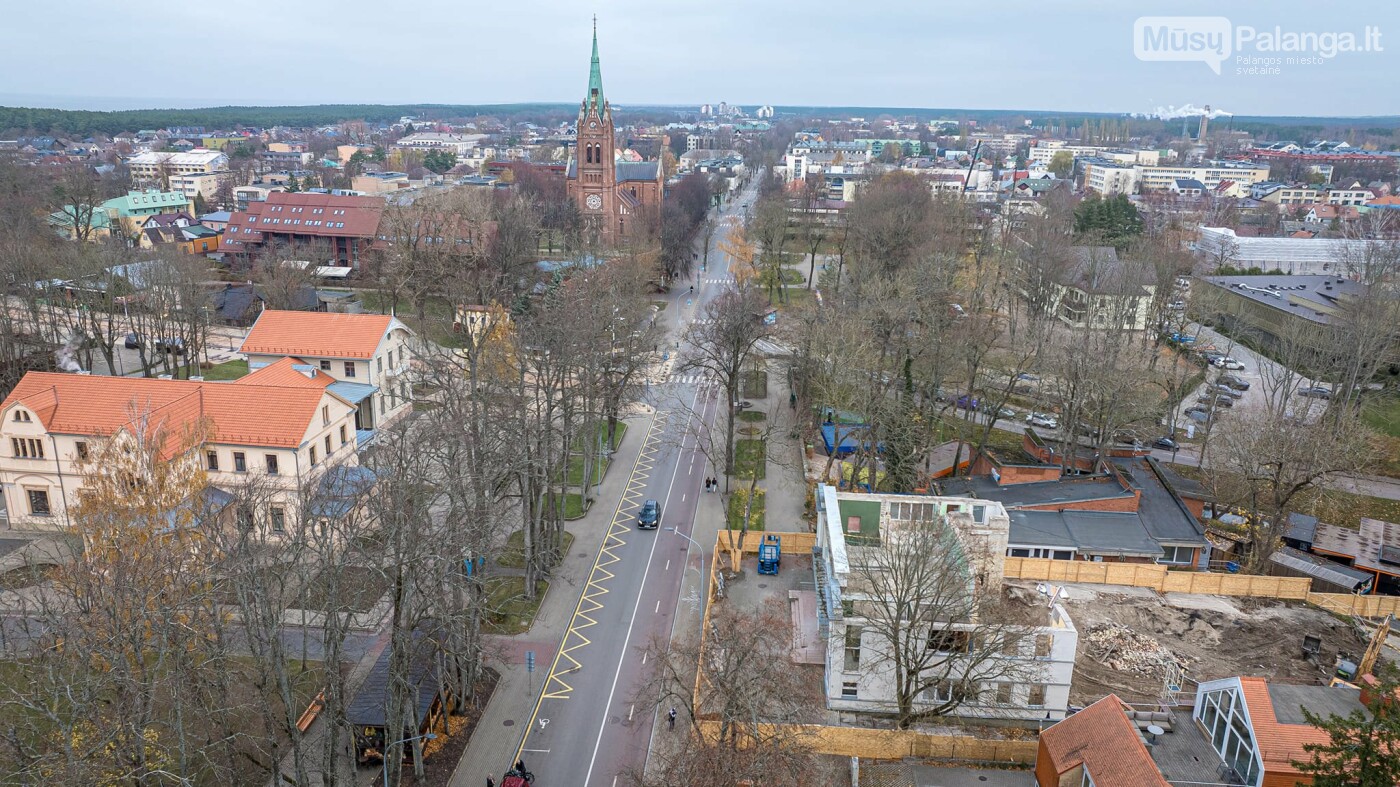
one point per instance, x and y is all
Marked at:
(281, 428)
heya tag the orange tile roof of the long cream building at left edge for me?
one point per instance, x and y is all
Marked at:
(240, 414)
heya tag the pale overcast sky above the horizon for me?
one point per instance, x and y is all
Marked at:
(1063, 55)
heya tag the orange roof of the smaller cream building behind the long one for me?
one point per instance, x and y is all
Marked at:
(317, 334)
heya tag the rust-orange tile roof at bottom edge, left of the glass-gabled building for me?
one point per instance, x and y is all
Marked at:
(1102, 739)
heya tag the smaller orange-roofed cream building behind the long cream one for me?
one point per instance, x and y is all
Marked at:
(365, 358)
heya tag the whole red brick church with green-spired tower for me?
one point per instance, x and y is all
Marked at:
(611, 195)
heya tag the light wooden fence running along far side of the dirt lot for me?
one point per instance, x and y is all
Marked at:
(1163, 580)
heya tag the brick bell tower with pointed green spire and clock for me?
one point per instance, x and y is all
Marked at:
(596, 187)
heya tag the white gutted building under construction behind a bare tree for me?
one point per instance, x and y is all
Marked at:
(1032, 670)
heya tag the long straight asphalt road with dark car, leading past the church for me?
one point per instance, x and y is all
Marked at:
(593, 720)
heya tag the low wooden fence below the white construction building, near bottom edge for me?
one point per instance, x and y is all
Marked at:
(894, 744)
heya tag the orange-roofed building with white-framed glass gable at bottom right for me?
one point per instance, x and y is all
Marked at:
(1259, 727)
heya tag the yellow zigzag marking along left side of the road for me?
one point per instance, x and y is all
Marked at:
(556, 688)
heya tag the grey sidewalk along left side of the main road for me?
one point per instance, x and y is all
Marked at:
(500, 729)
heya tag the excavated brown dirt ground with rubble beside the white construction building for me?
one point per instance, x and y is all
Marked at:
(1125, 634)
